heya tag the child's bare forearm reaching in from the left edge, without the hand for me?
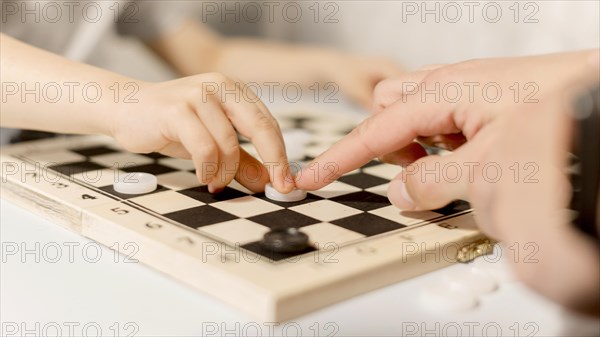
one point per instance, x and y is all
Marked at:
(43, 91)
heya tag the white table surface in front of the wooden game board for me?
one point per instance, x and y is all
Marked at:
(75, 293)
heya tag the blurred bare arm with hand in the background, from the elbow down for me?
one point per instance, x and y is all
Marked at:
(194, 48)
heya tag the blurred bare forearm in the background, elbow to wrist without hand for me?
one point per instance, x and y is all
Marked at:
(194, 48)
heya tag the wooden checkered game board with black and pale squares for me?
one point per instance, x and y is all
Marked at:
(359, 241)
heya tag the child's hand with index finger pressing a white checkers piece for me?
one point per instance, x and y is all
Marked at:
(196, 118)
